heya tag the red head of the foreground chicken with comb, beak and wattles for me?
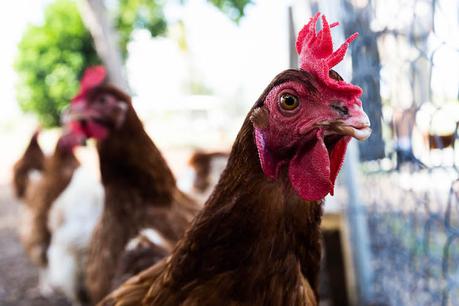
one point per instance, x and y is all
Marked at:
(307, 117)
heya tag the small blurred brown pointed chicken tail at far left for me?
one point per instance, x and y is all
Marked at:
(29, 167)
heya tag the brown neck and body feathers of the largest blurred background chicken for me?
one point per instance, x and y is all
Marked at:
(140, 193)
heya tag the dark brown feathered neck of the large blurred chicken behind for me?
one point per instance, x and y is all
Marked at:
(130, 160)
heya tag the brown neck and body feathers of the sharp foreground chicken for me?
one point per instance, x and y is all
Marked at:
(255, 243)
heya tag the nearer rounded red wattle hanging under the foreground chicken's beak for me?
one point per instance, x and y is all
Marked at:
(309, 170)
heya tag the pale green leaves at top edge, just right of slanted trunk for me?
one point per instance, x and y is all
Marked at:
(139, 14)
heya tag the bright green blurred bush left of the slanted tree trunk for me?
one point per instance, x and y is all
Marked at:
(51, 59)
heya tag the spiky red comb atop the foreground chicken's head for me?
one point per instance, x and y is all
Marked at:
(317, 56)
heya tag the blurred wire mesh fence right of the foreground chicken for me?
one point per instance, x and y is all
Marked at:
(412, 206)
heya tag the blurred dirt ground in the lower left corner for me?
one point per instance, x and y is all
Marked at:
(18, 278)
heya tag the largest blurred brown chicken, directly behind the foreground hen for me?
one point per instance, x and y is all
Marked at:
(141, 196)
